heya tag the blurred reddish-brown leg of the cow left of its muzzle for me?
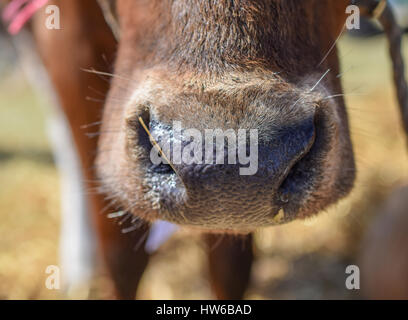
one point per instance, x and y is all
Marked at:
(85, 42)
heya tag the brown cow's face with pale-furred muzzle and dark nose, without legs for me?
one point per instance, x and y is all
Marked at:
(266, 69)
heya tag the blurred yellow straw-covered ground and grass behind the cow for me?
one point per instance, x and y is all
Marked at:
(304, 259)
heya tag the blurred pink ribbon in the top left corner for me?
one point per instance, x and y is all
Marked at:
(18, 12)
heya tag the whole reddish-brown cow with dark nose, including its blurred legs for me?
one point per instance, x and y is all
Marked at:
(270, 66)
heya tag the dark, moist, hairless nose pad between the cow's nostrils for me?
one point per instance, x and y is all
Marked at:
(236, 169)
